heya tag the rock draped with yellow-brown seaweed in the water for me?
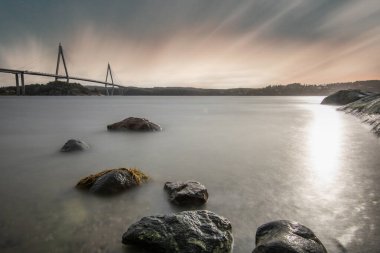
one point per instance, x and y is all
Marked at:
(112, 181)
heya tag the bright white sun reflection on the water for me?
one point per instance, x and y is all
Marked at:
(324, 146)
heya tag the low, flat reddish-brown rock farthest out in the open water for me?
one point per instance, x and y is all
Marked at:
(135, 124)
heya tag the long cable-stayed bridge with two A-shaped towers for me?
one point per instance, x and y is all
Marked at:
(20, 76)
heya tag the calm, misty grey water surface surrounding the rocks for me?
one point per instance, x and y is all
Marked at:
(261, 158)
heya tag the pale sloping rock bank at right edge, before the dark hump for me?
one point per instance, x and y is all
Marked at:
(367, 109)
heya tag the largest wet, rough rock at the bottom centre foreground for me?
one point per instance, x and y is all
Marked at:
(185, 232)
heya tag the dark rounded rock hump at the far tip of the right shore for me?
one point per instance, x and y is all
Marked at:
(344, 97)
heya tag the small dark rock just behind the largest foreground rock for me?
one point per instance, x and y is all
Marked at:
(187, 193)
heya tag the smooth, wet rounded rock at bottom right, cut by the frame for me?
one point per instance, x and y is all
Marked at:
(286, 237)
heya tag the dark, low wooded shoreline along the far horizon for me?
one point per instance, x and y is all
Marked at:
(75, 89)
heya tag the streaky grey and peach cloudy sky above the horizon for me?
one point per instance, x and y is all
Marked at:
(198, 43)
